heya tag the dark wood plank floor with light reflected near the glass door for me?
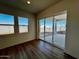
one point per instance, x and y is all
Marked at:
(36, 49)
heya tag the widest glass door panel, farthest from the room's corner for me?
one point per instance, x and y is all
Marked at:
(60, 30)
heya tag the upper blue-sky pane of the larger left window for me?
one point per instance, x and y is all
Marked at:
(6, 19)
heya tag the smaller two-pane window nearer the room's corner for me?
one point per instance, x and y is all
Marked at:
(23, 24)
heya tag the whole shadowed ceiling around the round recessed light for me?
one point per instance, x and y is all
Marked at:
(35, 6)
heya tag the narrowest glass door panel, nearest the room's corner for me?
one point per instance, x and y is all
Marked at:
(41, 28)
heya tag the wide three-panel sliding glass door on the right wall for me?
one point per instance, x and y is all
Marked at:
(53, 30)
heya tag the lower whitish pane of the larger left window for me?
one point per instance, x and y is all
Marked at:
(6, 30)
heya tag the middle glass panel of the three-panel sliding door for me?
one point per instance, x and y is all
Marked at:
(48, 29)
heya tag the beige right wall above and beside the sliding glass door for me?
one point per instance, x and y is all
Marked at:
(72, 36)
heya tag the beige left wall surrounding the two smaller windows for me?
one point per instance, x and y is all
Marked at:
(13, 39)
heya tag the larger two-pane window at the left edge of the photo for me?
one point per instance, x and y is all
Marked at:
(6, 24)
